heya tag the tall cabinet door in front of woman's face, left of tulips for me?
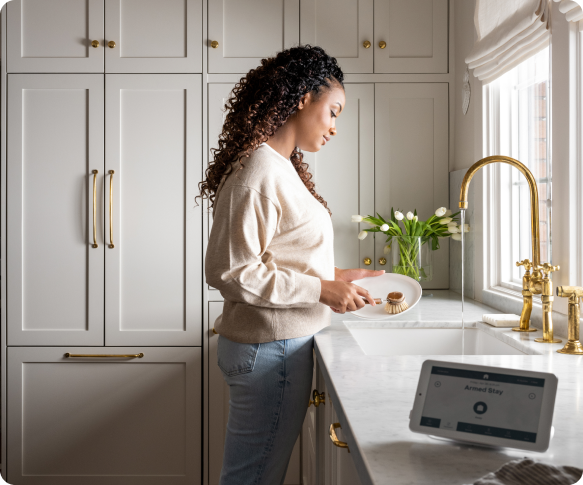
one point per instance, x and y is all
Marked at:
(344, 174)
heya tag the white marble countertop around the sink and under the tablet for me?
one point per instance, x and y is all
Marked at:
(374, 394)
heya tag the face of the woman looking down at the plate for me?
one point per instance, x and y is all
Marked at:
(316, 118)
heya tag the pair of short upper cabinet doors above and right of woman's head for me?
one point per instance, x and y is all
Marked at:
(380, 36)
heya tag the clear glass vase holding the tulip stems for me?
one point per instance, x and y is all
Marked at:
(411, 257)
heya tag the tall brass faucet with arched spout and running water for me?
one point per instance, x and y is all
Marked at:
(539, 281)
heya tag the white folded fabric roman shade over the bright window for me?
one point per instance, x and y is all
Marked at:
(508, 32)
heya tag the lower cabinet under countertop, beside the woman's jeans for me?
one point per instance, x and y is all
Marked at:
(323, 463)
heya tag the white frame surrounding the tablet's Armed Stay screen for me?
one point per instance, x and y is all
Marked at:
(546, 414)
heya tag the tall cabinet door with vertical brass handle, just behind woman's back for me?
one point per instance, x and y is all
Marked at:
(153, 271)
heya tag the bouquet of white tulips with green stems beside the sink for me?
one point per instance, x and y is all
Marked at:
(413, 236)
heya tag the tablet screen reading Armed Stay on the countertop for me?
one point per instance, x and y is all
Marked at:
(499, 405)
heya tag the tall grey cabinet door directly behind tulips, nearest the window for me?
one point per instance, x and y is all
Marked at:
(411, 166)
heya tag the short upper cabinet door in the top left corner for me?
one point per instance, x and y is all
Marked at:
(54, 36)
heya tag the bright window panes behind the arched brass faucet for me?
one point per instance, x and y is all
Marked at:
(519, 127)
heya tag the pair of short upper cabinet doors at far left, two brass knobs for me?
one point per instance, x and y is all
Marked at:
(134, 36)
